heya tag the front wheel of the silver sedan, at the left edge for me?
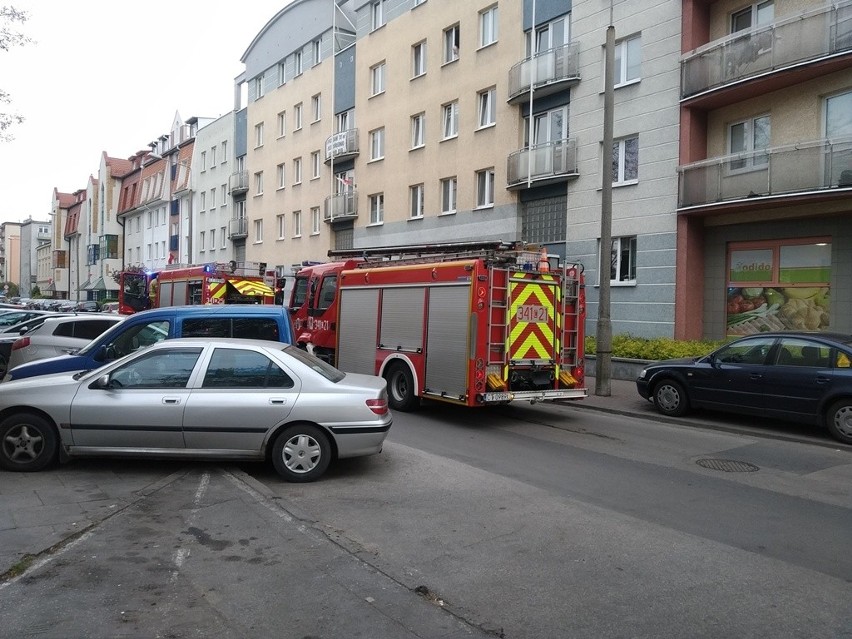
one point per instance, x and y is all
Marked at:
(28, 443)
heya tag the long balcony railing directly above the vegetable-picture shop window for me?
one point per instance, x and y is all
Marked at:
(817, 165)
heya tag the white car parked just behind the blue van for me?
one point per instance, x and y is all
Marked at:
(58, 336)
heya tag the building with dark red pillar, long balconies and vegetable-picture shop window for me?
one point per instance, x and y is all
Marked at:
(764, 236)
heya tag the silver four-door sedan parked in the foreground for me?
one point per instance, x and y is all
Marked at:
(215, 398)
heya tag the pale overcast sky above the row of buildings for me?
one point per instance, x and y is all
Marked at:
(109, 76)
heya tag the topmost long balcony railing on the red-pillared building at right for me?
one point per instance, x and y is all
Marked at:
(803, 38)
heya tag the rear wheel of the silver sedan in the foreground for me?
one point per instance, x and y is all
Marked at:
(301, 453)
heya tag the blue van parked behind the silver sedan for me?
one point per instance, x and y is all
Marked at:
(249, 321)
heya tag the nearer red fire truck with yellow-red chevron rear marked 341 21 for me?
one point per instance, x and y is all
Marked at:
(475, 323)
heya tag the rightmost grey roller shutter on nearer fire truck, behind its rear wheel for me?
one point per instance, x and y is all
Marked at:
(447, 357)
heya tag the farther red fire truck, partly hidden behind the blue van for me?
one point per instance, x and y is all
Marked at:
(140, 289)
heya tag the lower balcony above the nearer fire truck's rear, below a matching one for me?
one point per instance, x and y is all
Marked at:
(547, 163)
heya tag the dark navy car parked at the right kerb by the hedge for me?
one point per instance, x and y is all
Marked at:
(794, 376)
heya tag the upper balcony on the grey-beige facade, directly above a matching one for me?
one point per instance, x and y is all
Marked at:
(550, 71)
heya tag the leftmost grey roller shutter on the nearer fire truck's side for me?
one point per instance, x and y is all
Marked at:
(356, 330)
